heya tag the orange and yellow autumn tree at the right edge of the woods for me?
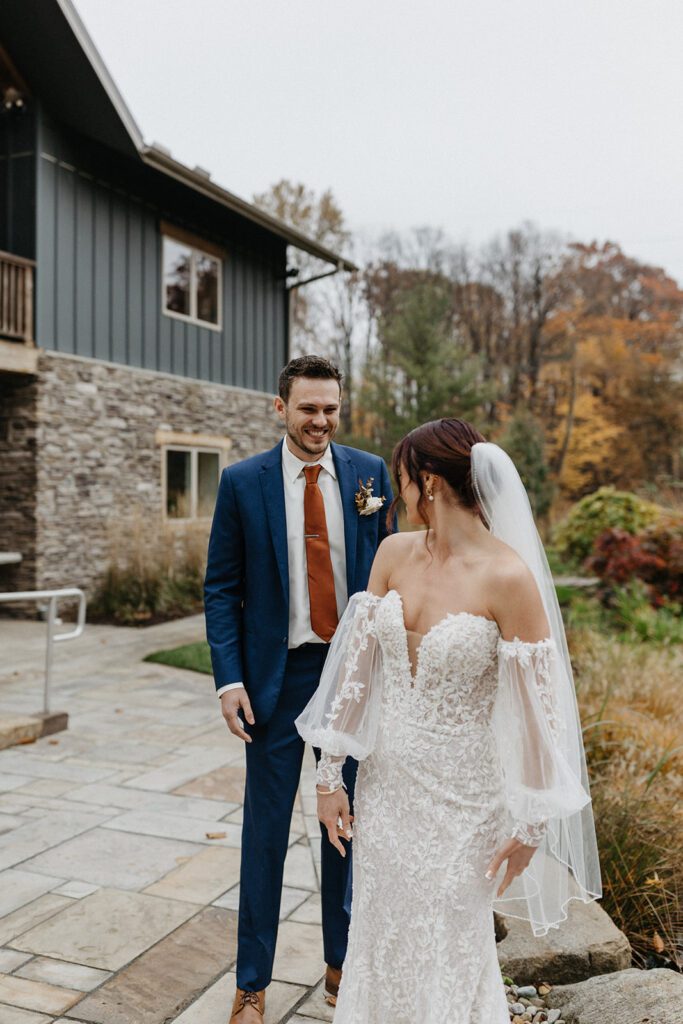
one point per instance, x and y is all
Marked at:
(613, 388)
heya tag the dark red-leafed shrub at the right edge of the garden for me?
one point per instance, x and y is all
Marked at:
(656, 557)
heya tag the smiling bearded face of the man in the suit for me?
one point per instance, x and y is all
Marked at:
(311, 416)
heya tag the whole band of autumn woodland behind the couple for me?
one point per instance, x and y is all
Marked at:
(531, 336)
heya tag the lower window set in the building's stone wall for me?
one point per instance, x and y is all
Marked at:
(191, 483)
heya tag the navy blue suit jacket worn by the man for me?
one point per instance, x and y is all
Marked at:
(247, 581)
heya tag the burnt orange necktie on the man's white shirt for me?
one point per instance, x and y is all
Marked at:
(321, 578)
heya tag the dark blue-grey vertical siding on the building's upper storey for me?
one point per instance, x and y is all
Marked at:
(100, 288)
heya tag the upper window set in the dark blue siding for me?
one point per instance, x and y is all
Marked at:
(192, 283)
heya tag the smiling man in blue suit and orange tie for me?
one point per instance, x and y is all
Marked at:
(289, 546)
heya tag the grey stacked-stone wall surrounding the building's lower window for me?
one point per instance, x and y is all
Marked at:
(99, 463)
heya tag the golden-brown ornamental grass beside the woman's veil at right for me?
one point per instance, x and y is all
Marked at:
(630, 699)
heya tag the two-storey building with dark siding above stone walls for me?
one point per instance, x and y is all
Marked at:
(144, 313)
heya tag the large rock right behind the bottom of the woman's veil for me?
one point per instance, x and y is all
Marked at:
(587, 944)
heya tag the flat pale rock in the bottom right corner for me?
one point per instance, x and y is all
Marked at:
(631, 997)
